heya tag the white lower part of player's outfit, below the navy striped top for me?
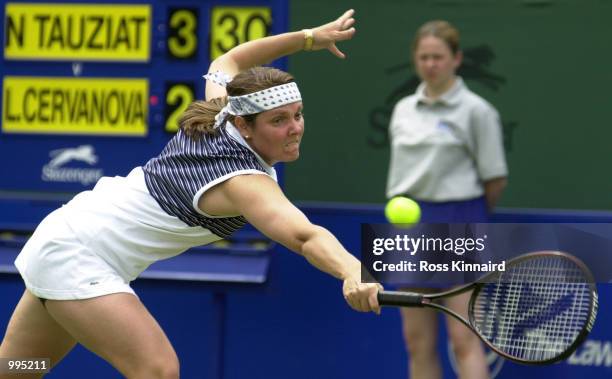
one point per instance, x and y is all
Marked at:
(102, 240)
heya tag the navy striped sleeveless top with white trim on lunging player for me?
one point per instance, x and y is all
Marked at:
(186, 167)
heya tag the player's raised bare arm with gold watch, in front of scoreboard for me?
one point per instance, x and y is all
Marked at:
(265, 50)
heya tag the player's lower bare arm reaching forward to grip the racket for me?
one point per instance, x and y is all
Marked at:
(264, 205)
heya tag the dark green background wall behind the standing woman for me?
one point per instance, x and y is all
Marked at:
(545, 65)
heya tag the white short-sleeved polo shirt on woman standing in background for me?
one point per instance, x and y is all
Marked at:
(444, 149)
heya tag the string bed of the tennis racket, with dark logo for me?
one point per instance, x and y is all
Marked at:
(536, 309)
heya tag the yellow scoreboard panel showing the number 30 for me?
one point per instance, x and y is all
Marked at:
(231, 26)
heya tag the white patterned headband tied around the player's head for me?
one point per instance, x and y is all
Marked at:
(255, 102)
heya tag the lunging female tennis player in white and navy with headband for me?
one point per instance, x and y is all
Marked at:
(211, 178)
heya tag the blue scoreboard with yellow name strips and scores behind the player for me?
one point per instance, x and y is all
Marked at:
(95, 89)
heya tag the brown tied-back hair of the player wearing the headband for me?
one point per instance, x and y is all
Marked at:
(199, 117)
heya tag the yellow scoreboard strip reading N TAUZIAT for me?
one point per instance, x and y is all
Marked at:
(104, 32)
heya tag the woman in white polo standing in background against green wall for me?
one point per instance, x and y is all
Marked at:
(447, 154)
